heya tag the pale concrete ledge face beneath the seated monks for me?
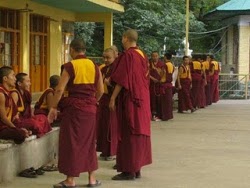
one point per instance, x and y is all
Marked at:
(32, 153)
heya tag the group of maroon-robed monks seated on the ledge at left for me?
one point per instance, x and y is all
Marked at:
(18, 120)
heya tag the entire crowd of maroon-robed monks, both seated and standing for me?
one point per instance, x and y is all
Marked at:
(106, 109)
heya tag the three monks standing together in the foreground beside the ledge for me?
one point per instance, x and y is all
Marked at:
(107, 109)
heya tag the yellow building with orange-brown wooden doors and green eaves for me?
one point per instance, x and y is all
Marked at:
(35, 34)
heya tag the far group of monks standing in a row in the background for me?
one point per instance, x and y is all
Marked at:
(196, 84)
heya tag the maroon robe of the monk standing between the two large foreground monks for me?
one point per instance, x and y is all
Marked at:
(106, 121)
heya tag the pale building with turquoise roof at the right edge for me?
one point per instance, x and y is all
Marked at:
(236, 42)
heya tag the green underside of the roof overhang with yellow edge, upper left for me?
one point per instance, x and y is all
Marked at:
(85, 6)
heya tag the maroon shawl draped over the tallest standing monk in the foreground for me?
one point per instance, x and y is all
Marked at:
(135, 95)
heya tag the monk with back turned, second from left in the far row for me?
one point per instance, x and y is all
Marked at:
(166, 97)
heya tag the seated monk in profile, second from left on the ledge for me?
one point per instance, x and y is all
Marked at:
(38, 124)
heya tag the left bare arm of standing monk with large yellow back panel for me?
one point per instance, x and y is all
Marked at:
(60, 88)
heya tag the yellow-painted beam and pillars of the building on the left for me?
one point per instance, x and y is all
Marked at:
(55, 38)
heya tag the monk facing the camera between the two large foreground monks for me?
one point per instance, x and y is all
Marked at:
(107, 119)
